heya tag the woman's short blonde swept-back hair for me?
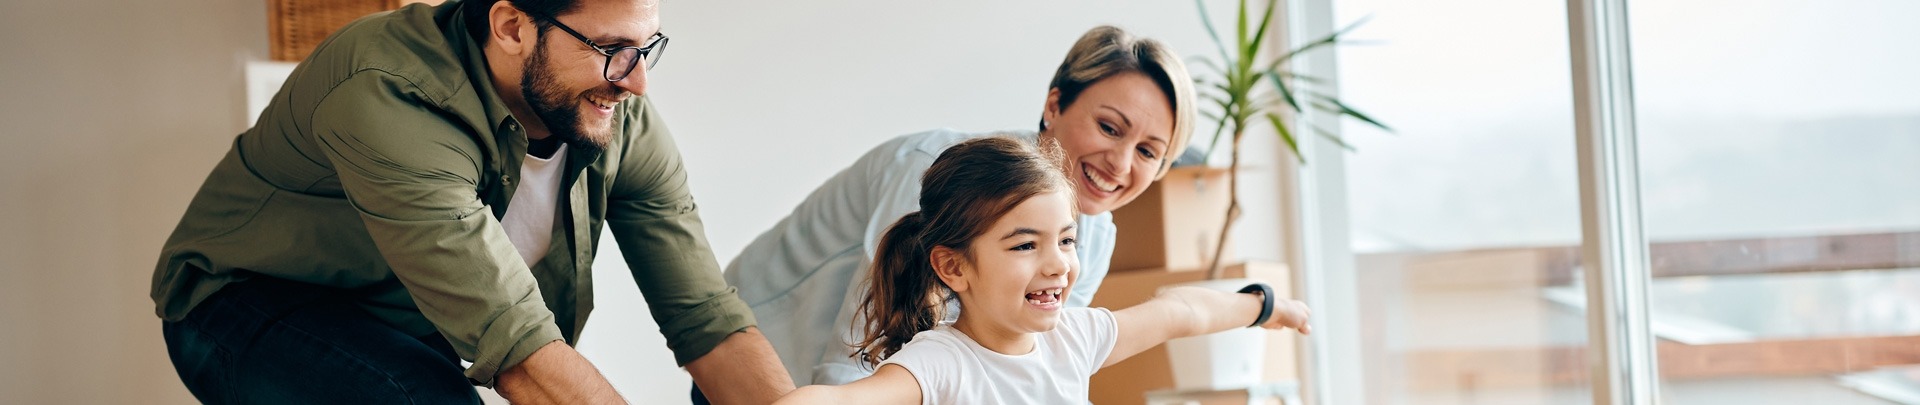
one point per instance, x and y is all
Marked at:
(1109, 51)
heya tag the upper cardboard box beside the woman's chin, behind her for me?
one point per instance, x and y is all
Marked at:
(1174, 224)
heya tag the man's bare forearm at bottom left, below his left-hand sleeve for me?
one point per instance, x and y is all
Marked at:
(556, 373)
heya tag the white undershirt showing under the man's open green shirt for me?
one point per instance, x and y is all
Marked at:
(531, 214)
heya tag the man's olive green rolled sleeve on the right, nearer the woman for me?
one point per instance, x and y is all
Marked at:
(663, 241)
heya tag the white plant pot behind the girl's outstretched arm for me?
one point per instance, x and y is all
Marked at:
(1218, 362)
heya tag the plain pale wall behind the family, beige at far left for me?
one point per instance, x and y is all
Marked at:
(116, 110)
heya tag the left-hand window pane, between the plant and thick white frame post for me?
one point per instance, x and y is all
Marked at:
(1466, 222)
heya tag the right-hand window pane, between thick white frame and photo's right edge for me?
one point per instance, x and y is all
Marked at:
(1781, 153)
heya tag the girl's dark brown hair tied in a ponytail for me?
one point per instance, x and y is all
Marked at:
(963, 195)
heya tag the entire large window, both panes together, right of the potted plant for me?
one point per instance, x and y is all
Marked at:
(1777, 149)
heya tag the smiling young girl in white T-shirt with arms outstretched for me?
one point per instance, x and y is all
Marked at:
(997, 233)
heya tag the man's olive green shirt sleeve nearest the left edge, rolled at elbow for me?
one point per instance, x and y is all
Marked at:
(414, 179)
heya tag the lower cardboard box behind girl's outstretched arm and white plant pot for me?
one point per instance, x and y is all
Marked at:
(1128, 383)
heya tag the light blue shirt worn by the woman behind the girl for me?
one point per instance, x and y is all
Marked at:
(805, 277)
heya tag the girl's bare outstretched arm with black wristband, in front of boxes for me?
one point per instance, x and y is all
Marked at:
(1191, 312)
